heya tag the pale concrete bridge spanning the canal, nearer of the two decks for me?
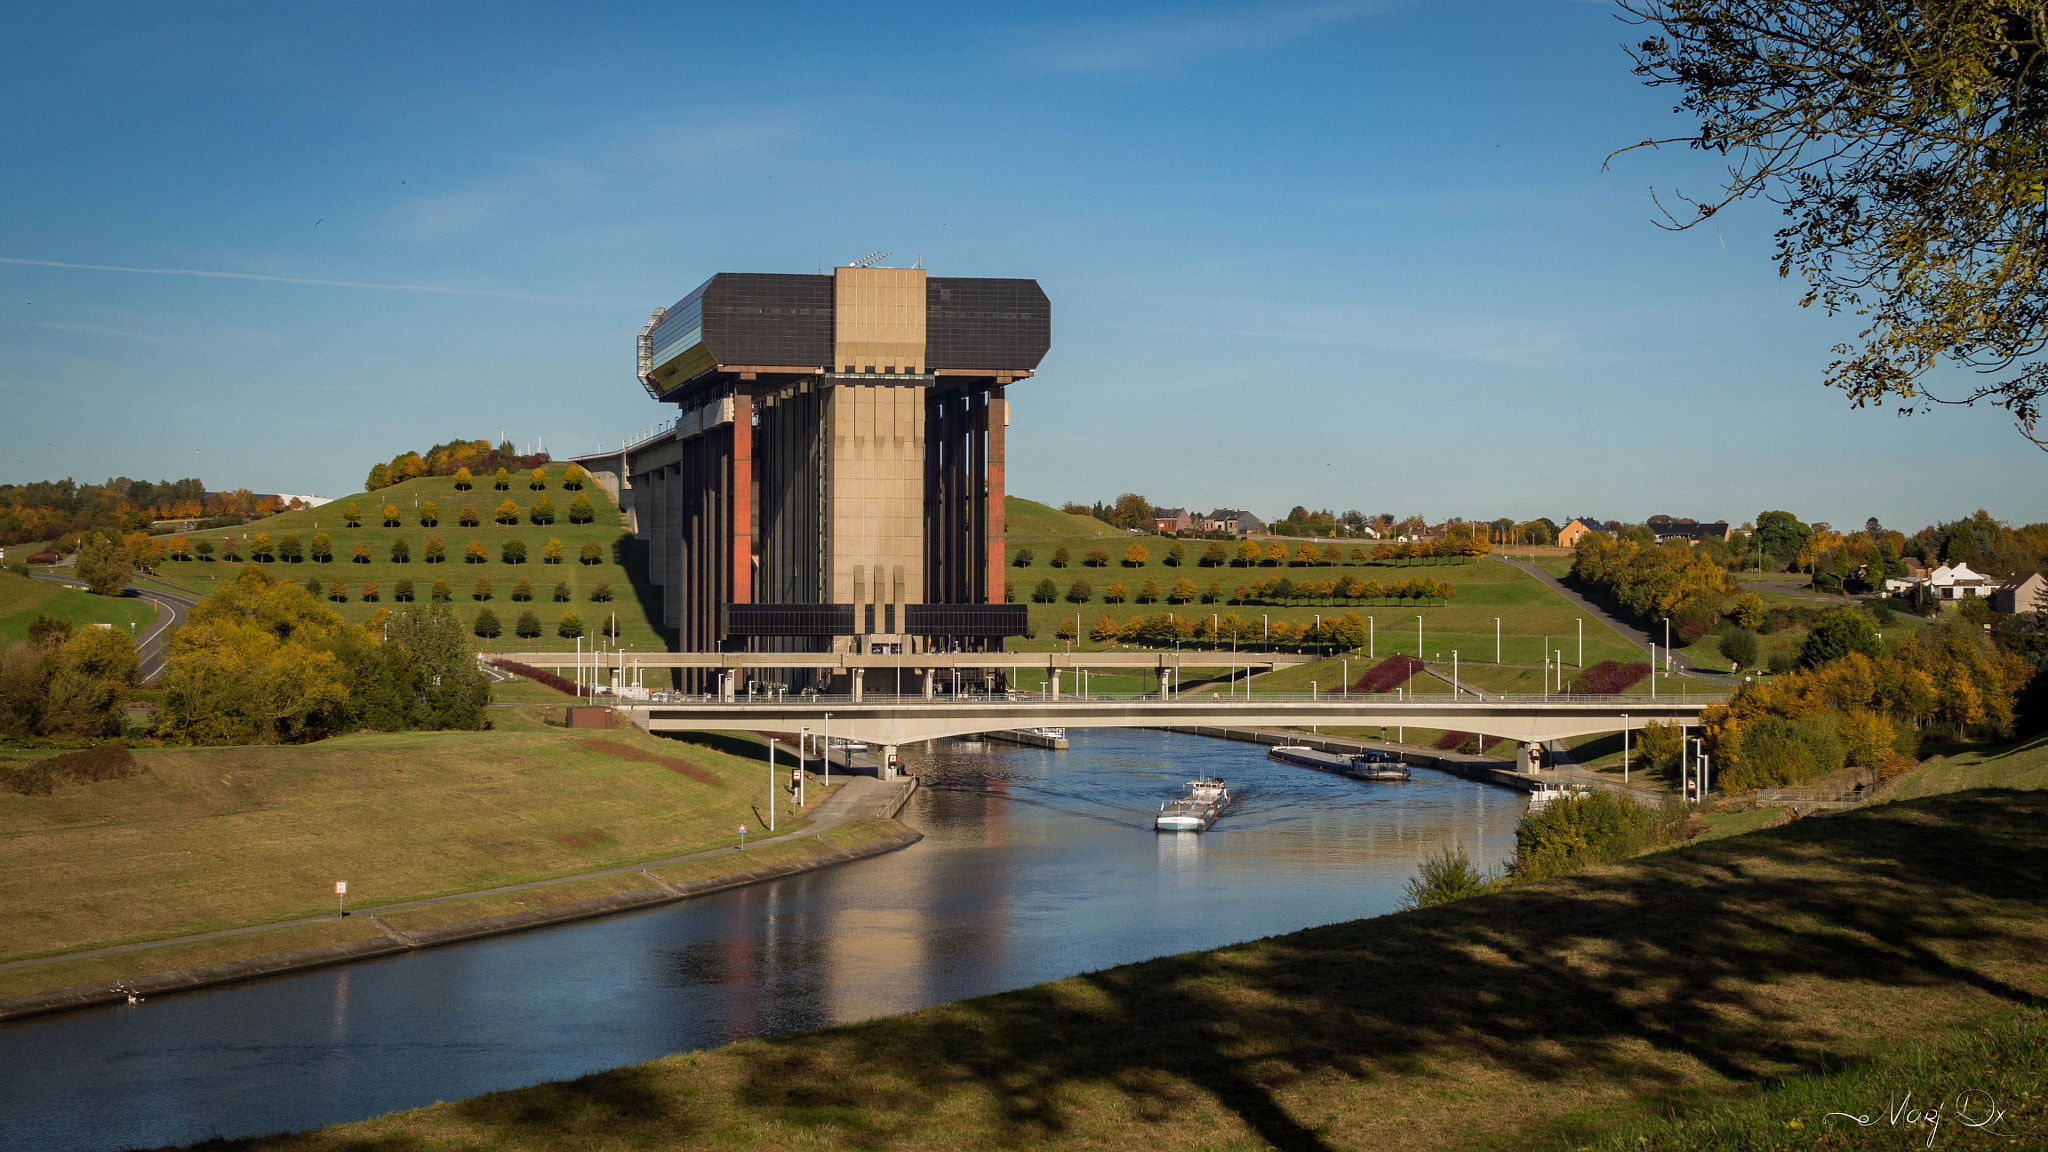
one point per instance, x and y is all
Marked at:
(906, 721)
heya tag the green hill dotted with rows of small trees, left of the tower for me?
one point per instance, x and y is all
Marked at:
(638, 604)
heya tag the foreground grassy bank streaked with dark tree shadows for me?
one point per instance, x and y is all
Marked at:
(1670, 979)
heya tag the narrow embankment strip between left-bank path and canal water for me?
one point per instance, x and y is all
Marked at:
(855, 823)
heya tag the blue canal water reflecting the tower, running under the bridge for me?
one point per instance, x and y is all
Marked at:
(1035, 866)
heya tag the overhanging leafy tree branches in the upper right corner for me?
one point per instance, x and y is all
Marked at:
(1908, 145)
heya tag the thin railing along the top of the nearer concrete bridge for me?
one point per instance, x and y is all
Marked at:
(1035, 700)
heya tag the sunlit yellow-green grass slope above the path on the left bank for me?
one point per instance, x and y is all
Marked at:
(208, 839)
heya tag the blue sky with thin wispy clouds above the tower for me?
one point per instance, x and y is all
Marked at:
(1342, 255)
